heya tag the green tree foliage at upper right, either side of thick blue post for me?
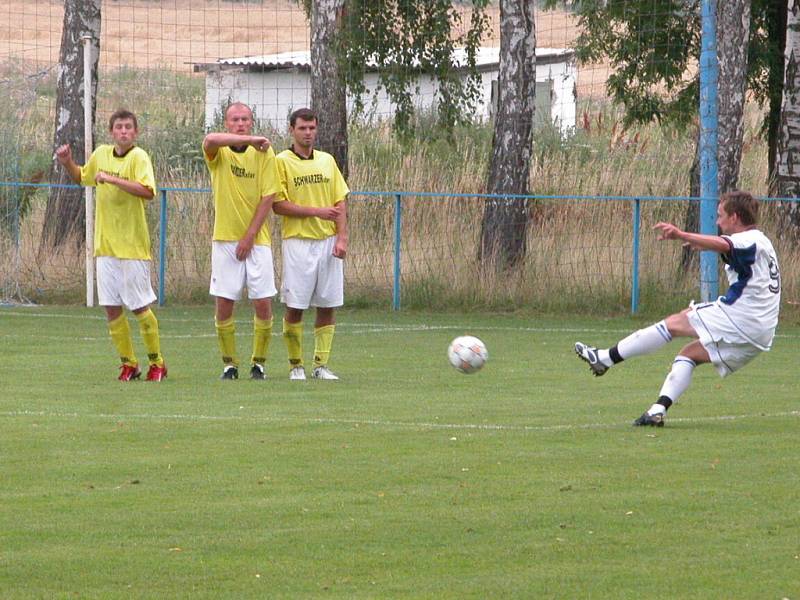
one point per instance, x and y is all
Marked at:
(653, 48)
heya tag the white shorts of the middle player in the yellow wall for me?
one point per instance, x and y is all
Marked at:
(229, 275)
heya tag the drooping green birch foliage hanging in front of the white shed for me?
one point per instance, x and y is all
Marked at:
(403, 39)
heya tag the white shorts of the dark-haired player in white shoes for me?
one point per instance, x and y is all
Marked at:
(312, 275)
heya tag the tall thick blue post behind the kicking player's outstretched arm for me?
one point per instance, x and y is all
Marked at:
(709, 117)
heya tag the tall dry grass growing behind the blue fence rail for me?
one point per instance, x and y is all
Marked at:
(579, 252)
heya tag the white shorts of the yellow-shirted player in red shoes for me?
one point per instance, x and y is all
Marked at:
(124, 282)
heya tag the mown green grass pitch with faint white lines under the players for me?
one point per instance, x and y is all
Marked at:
(404, 479)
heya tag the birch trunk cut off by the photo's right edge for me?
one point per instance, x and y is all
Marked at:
(788, 167)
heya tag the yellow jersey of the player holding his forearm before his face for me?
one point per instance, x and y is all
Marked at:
(239, 180)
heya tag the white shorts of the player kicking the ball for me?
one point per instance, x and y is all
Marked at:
(728, 349)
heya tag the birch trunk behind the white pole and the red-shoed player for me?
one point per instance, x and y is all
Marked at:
(66, 211)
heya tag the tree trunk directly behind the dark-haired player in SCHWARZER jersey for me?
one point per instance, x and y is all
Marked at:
(328, 96)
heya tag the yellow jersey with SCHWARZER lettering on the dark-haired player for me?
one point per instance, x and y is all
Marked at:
(314, 181)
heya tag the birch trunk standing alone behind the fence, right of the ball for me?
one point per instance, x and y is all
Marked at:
(505, 220)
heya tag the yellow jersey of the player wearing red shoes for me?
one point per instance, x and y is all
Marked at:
(120, 225)
